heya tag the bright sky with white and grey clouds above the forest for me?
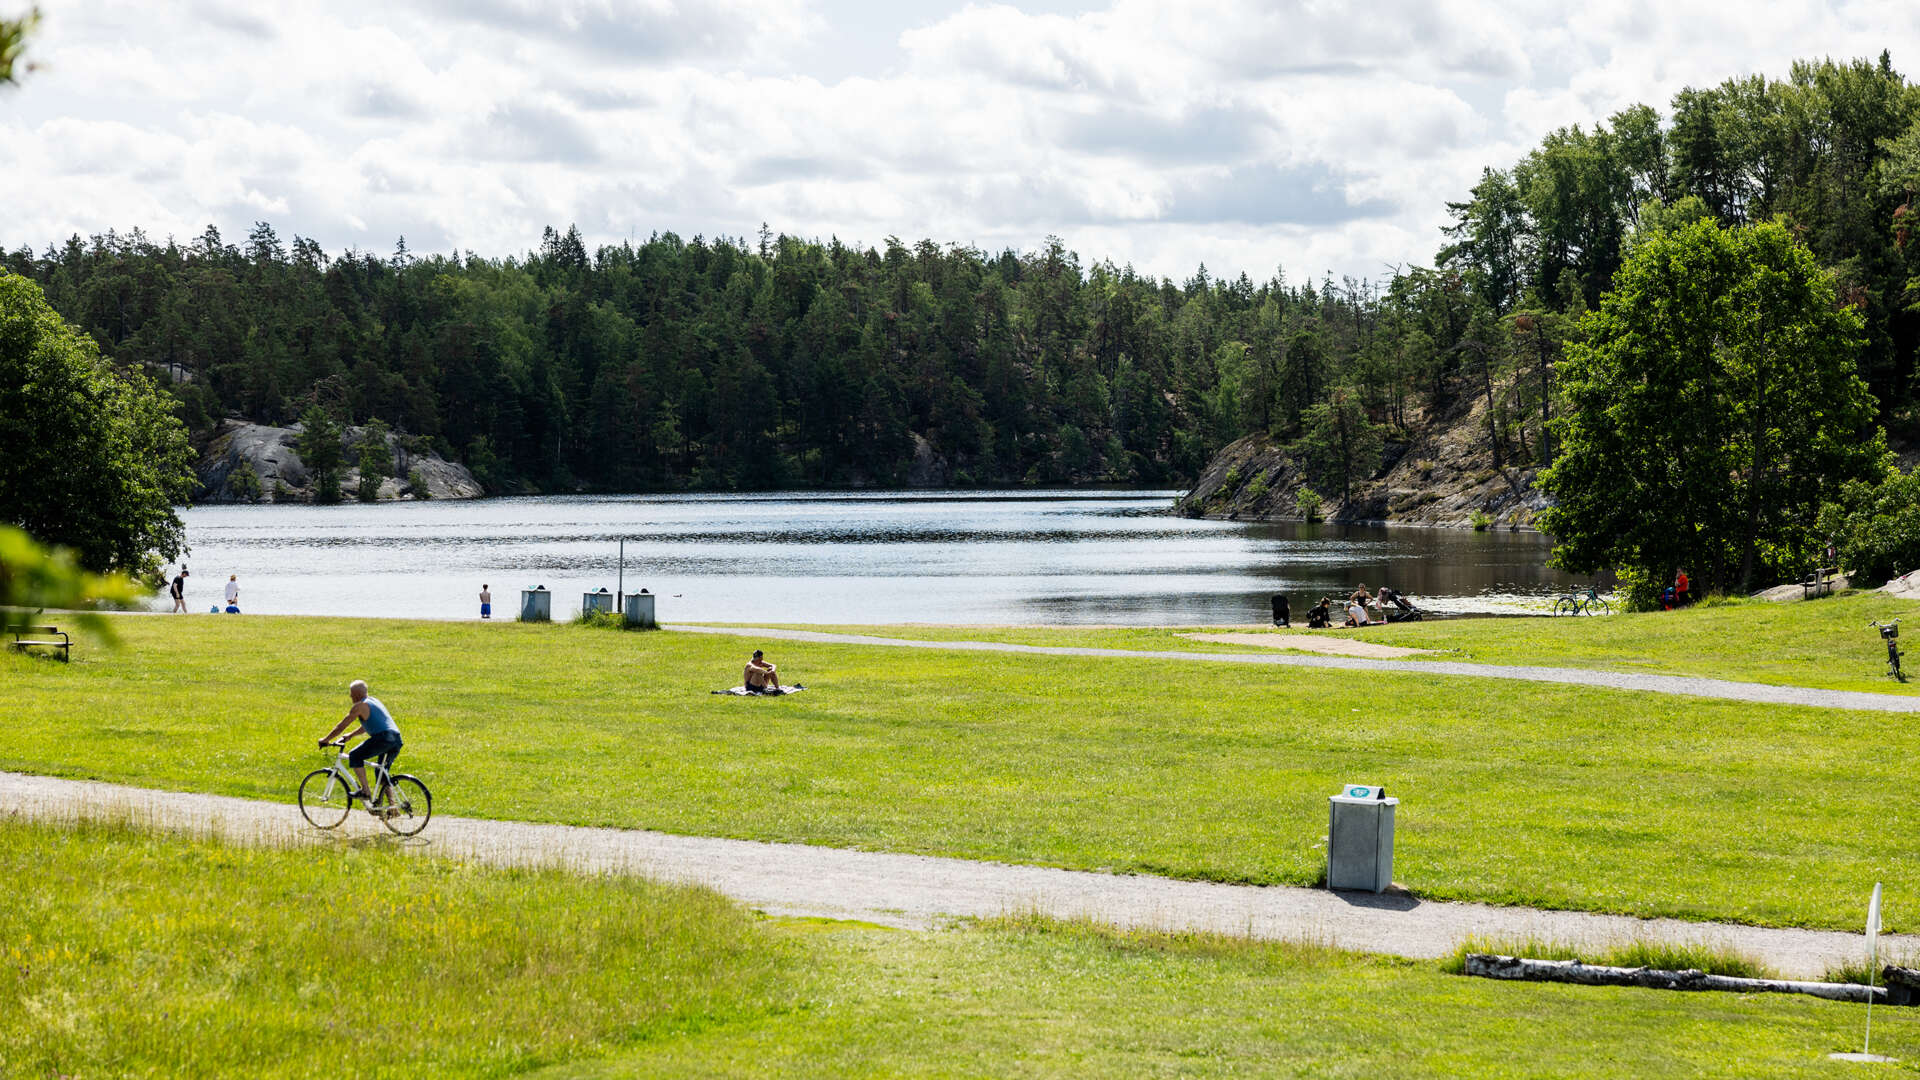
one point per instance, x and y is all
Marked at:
(1247, 135)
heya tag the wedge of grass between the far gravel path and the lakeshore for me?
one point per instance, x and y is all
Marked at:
(1821, 643)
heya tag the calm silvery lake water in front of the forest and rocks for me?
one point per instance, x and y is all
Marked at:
(838, 558)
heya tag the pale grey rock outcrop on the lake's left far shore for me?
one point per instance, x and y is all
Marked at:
(274, 456)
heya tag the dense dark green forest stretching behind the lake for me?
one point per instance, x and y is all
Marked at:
(786, 362)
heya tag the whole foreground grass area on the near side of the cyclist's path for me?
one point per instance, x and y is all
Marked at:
(135, 954)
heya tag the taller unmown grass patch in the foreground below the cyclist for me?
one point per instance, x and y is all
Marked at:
(137, 954)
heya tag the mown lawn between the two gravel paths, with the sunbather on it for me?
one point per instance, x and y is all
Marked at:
(1548, 797)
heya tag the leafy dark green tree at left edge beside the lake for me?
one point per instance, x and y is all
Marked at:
(93, 456)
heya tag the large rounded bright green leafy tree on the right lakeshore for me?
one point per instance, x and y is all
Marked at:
(1712, 406)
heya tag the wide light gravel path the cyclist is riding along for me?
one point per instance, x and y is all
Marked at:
(923, 893)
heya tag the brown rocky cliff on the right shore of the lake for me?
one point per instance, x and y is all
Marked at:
(1443, 474)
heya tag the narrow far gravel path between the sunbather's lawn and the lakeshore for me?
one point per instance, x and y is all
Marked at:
(1685, 685)
